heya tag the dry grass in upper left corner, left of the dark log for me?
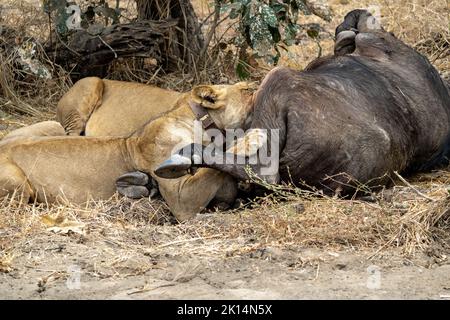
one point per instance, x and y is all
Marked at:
(23, 94)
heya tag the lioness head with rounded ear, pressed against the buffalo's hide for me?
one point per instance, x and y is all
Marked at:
(228, 105)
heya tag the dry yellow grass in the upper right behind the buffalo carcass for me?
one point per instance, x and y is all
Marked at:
(422, 24)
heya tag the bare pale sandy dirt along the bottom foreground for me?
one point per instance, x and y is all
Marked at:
(63, 268)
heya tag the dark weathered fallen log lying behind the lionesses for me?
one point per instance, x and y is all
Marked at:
(90, 54)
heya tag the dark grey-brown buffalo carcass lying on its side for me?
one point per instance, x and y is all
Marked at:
(376, 107)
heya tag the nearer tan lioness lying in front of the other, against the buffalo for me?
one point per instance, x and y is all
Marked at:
(80, 168)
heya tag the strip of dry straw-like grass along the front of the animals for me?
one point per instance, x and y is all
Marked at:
(398, 219)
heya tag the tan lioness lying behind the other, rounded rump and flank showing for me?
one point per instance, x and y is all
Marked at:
(100, 107)
